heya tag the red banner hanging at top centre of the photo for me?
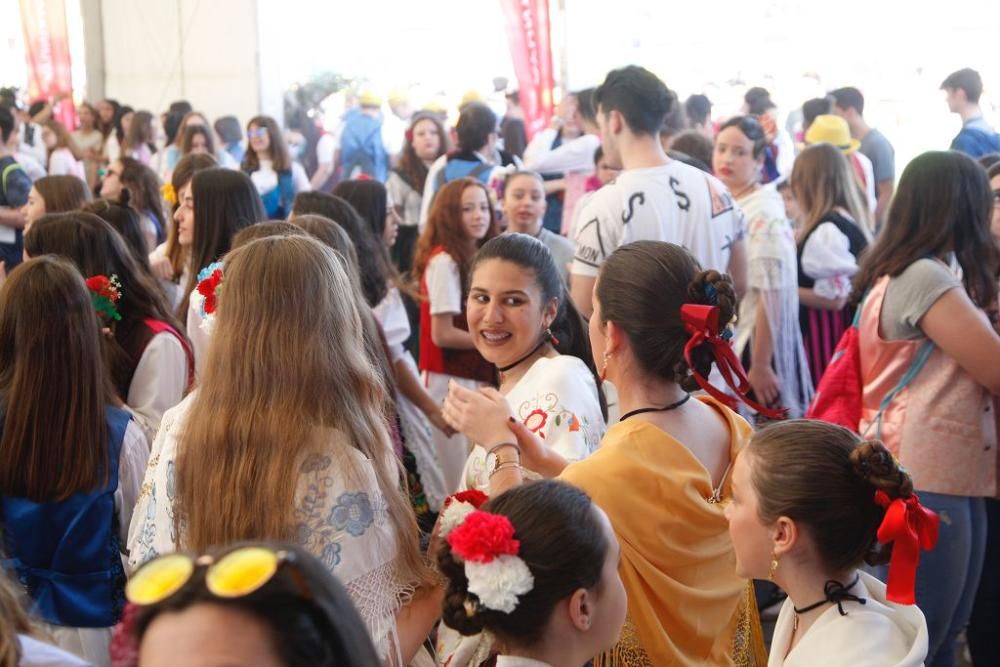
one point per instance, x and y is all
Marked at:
(530, 41)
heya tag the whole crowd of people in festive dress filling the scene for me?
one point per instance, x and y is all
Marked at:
(607, 396)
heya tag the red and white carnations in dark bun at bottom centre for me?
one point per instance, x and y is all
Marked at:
(497, 576)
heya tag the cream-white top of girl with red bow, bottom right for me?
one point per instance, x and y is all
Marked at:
(878, 633)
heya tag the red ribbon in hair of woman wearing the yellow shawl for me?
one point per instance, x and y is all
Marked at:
(702, 322)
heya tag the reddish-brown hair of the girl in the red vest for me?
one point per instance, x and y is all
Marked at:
(444, 228)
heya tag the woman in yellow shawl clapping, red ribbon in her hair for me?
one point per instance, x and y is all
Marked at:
(663, 472)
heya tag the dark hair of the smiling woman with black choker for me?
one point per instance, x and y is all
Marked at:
(568, 327)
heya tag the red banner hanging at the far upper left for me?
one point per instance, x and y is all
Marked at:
(46, 42)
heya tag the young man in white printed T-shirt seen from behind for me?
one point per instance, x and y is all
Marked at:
(654, 197)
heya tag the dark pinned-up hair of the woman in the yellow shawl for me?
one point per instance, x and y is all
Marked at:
(642, 287)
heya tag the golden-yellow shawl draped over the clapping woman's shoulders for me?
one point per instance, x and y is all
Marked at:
(686, 606)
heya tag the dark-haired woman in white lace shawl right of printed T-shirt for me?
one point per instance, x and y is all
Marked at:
(768, 339)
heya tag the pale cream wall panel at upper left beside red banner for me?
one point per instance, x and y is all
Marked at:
(158, 51)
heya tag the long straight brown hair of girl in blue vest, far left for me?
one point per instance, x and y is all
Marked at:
(52, 383)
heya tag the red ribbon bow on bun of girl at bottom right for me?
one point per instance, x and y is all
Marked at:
(910, 527)
